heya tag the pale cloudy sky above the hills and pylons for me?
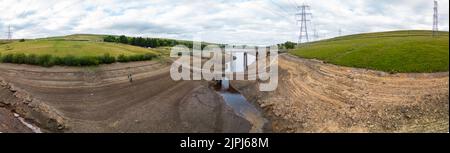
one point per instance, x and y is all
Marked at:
(258, 22)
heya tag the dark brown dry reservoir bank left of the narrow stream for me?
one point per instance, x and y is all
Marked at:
(102, 99)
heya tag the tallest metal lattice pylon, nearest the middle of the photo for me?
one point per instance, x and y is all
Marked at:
(302, 17)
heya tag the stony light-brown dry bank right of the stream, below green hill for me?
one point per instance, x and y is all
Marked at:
(316, 97)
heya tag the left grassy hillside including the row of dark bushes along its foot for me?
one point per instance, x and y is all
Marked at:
(72, 50)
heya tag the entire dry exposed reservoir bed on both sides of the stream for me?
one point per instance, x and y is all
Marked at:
(311, 97)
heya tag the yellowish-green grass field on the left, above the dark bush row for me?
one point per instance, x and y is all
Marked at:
(76, 45)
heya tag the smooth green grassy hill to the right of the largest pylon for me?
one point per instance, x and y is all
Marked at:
(395, 52)
